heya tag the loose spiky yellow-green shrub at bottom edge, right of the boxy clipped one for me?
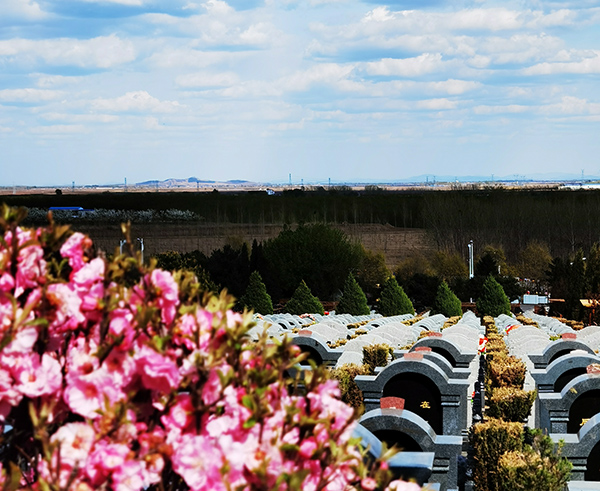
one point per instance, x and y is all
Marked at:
(537, 467)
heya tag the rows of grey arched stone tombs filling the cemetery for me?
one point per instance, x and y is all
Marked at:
(431, 391)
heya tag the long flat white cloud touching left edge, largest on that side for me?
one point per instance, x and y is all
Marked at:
(100, 52)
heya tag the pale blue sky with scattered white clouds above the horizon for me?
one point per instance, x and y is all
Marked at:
(99, 91)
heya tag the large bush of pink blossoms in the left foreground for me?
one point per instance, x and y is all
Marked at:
(119, 377)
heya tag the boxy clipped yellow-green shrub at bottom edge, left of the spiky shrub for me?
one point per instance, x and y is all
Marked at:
(489, 441)
